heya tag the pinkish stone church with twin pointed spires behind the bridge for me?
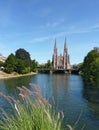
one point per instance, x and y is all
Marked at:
(61, 62)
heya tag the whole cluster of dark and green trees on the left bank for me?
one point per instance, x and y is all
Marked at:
(20, 62)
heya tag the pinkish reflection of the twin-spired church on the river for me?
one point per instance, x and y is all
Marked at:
(60, 88)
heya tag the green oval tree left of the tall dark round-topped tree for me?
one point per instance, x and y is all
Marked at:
(10, 63)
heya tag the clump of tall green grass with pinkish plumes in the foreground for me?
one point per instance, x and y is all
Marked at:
(30, 112)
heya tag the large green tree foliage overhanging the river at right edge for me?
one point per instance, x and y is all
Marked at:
(90, 68)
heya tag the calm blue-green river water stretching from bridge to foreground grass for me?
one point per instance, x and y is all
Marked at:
(67, 91)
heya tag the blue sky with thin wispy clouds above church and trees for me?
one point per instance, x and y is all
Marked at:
(35, 24)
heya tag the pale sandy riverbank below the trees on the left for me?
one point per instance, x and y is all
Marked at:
(4, 75)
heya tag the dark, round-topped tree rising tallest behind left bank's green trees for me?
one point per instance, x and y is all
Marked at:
(23, 55)
